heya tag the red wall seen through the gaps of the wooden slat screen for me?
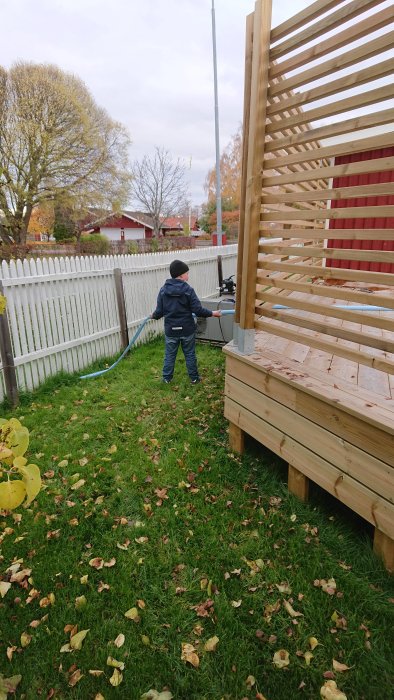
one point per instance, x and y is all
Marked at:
(351, 181)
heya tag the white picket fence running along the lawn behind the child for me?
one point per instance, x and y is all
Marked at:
(63, 312)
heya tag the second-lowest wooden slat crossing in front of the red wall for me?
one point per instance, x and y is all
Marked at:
(367, 234)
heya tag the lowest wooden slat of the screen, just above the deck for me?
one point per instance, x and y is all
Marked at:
(325, 344)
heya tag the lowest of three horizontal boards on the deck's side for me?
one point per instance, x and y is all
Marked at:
(372, 508)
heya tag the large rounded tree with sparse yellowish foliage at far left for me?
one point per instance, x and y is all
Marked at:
(56, 143)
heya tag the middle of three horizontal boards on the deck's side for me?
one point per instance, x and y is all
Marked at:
(350, 458)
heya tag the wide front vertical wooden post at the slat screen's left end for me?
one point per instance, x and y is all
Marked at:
(256, 140)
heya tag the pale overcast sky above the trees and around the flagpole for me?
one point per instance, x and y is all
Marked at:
(148, 62)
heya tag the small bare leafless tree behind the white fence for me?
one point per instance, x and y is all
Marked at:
(159, 186)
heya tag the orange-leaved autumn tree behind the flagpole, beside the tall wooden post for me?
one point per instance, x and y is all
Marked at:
(230, 174)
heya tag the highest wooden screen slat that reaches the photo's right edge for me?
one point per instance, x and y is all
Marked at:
(358, 30)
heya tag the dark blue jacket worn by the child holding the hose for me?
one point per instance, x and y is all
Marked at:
(177, 301)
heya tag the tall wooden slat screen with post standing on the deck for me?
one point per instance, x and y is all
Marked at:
(328, 97)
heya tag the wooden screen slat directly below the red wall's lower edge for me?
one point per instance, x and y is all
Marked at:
(330, 272)
